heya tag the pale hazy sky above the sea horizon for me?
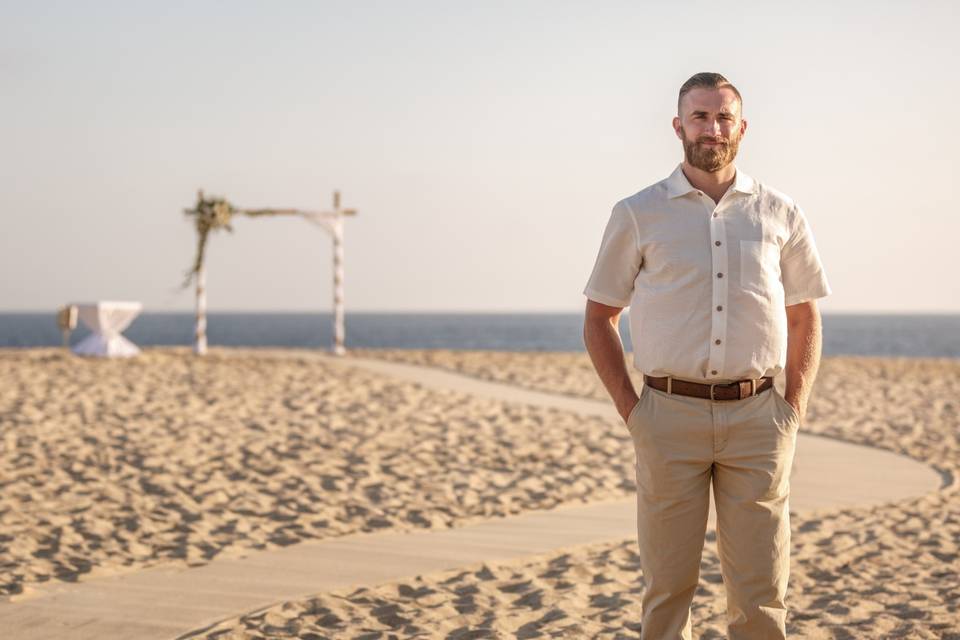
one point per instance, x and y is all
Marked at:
(483, 144)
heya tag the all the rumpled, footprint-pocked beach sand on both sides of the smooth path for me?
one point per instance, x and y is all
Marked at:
(117, 465)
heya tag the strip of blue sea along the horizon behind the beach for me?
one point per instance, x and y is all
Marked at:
(843, 334)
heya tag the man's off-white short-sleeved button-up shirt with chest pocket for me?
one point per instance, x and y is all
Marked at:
(707, 283)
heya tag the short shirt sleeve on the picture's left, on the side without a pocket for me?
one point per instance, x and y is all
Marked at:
(618, 260)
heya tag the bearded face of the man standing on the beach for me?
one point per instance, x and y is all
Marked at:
(710, 127)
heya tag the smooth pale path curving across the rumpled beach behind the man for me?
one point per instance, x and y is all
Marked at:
(170, 603)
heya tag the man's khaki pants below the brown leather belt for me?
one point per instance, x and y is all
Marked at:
(745, 447)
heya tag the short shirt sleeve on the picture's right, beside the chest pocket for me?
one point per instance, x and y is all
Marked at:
(803, 275)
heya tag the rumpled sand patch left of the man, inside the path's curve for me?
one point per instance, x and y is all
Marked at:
(122, 464)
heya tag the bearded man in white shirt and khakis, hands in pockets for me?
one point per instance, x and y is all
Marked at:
(721, 275)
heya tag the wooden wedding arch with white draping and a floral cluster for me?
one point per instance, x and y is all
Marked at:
(213, 213)
